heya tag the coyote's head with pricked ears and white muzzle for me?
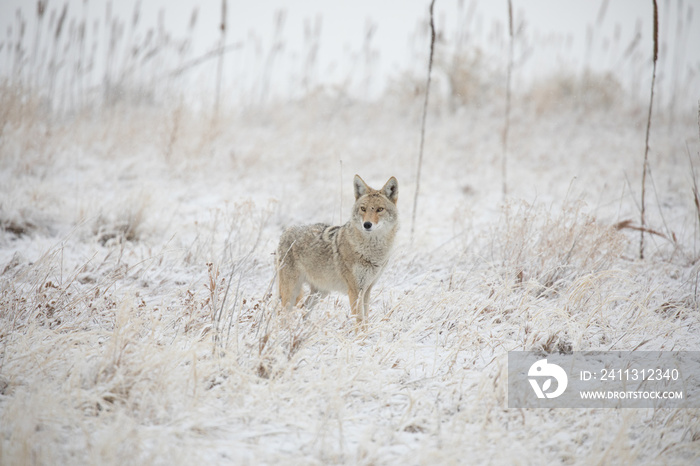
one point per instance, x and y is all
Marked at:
(375, 209)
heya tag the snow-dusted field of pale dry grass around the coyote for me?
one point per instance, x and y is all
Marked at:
(138, 323)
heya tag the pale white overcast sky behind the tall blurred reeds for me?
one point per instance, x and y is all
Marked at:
(555, 34)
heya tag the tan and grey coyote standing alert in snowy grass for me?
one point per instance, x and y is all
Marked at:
(347, 258)
